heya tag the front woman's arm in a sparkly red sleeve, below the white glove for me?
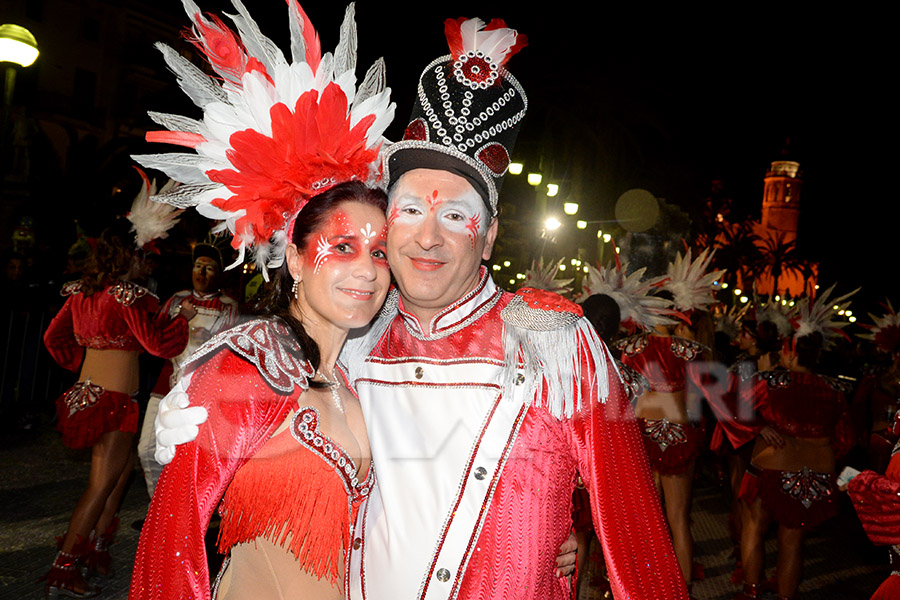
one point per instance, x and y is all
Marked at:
(243, 413)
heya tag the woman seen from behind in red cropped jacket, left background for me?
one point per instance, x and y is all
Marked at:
(105, 323)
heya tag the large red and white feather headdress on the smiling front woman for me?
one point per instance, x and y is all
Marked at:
(274, 133)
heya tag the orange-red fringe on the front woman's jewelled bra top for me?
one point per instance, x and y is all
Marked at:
(261, 503)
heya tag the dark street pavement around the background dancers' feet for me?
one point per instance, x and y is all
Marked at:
(40, 481)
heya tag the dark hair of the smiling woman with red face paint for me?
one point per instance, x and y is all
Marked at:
(313, 216)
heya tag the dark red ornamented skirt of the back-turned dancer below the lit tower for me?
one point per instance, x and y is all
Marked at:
(797, 499)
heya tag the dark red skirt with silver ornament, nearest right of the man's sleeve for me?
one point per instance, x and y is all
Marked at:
(671, 447)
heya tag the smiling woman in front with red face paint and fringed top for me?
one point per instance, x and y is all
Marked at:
(285, 443)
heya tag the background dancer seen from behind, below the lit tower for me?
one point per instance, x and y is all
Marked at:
(802, 426)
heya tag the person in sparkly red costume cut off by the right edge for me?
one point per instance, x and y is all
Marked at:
(877, 501)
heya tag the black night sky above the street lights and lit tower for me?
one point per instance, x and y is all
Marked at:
(668, 101)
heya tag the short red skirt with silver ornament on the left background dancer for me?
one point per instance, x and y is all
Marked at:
(86, 411)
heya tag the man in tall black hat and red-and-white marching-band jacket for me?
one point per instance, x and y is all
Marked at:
(483, 407)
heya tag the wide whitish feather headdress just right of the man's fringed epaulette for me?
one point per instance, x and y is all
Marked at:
(631, 293)
